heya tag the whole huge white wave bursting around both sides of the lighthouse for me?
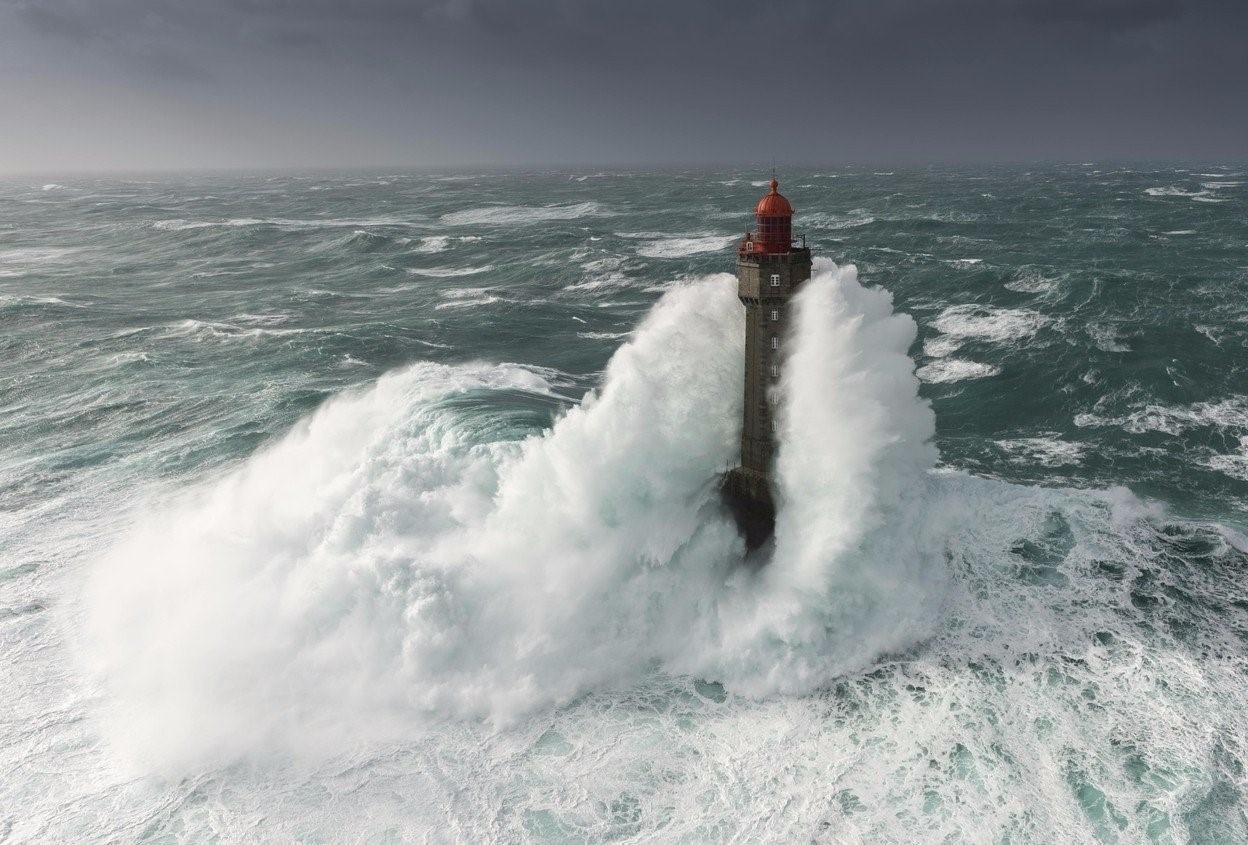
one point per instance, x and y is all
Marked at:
(390, 562)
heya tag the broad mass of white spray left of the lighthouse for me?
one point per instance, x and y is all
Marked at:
(378, 564)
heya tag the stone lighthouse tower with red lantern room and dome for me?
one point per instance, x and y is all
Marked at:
(769, 271)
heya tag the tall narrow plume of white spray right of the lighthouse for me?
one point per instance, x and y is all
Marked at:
(857, 567)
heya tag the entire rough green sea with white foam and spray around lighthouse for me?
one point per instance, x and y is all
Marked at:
(371, 509)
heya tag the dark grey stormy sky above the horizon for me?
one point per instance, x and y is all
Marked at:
(220, 84)
